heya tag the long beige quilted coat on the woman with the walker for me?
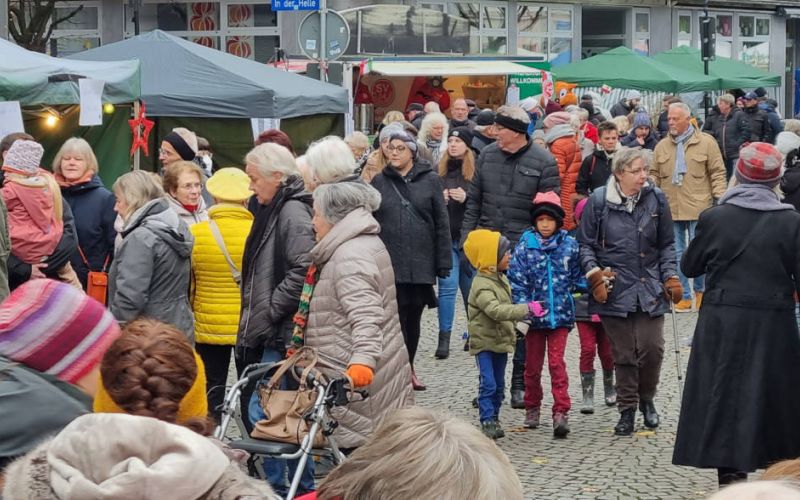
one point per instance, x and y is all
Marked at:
(353, 320)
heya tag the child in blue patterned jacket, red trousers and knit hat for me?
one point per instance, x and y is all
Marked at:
(545, 268)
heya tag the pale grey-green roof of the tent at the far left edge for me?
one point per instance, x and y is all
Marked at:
(33, 78)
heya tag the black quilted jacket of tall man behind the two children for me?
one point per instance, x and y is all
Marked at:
(501, 194)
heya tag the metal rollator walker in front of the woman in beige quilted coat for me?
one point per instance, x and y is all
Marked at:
(329, 393)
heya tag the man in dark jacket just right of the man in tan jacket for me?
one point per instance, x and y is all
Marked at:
(730, 128)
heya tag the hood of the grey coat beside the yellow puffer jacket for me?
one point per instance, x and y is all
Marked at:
(157, 216)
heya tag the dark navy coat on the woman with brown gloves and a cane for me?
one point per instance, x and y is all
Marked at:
(639, 246)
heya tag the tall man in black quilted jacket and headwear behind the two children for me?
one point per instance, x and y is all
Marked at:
(509, 173)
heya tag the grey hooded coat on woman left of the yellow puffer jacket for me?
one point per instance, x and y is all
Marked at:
(151, 270)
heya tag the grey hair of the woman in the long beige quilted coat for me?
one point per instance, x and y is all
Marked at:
(334, 201)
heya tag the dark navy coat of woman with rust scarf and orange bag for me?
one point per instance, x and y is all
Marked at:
(93, 209)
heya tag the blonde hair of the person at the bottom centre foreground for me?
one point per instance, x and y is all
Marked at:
(447, 458)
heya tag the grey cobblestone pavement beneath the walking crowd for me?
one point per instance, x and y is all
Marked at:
(591, 462)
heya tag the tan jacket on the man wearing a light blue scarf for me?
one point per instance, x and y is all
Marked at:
(704, 180)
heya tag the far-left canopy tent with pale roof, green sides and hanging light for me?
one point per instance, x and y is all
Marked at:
(42, 84)
